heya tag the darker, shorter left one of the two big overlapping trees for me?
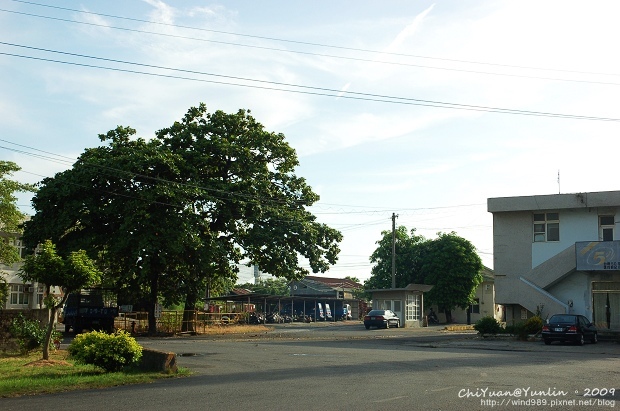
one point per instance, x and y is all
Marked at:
(120, 203)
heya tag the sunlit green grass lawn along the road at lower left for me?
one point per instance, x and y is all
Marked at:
(29, 374)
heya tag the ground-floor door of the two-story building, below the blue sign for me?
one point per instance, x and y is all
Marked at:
(606, 305)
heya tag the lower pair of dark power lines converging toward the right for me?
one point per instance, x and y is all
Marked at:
(320, 91)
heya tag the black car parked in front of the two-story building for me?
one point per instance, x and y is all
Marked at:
(569, 327)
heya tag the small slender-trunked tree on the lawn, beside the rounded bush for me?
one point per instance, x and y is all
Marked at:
(71, 274)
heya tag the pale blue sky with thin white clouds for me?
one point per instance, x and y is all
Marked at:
(424, 109)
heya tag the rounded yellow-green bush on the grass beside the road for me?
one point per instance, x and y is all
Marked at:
(111, 352)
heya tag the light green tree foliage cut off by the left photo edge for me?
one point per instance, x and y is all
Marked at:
(10, 216)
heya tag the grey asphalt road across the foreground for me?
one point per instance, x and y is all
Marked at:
(345, 367)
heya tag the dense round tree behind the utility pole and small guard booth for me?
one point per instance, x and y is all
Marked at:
(449, 262)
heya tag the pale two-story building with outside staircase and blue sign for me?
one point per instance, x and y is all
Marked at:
(558, 254)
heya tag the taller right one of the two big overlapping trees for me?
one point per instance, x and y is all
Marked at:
(247, 201)
